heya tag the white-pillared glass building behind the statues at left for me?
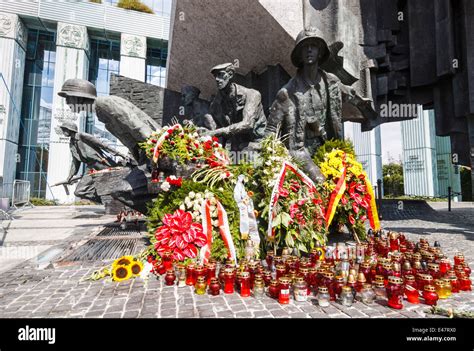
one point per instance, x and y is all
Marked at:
(44, 43)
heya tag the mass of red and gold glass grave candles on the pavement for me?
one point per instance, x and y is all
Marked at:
(386, 268)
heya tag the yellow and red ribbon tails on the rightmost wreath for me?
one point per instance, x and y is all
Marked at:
(338, 192)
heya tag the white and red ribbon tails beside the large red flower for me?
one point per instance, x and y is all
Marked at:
(224, 230)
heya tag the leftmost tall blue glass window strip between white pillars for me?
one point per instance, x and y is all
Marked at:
(36, 110)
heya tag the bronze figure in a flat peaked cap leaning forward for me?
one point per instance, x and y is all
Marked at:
(237, 111)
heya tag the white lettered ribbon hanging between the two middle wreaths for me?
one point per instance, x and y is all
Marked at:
(248, 222)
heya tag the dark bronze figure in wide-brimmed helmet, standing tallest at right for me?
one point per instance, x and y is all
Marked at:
(308, 109)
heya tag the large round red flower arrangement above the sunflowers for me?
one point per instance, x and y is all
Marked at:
(179, 235)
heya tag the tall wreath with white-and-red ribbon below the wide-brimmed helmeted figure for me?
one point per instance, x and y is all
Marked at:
(289, 202)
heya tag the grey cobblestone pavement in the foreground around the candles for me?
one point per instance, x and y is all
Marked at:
(61, 292)
